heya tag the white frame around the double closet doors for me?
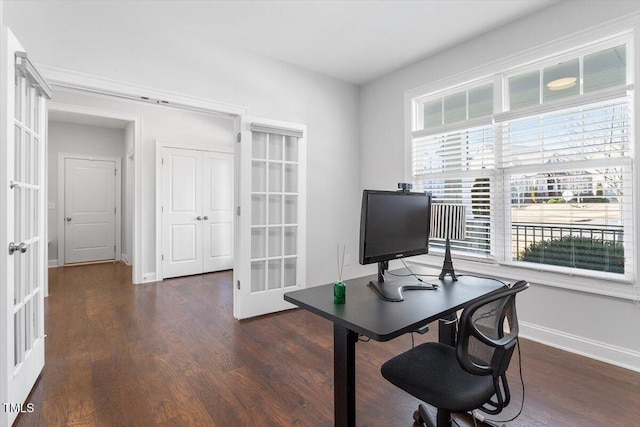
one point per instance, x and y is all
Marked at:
(160, 146)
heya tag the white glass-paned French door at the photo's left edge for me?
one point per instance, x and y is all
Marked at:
(22, 226)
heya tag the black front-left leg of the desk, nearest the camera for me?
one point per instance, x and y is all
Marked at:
(344, 376)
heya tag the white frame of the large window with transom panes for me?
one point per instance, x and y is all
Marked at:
(621, 31)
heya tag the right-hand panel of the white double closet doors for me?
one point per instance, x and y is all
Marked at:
(217, 211)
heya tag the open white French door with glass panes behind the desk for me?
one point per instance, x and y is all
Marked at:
(272, 231)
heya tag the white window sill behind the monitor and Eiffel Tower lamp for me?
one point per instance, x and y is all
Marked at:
(619, 288)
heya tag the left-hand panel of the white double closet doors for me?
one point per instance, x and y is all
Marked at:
(181, 212)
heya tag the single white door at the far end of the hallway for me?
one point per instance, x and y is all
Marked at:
(90, 210)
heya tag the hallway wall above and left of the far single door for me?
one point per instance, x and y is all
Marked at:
(75, 139)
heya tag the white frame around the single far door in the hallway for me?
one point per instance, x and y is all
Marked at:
(62, 179)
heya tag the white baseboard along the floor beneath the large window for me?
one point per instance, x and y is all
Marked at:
(614, 355)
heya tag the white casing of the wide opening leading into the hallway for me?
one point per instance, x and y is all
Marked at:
(136, 178)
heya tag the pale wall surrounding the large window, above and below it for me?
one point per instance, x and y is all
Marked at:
(603, 327)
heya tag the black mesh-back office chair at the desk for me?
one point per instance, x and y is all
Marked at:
(471, 375)
